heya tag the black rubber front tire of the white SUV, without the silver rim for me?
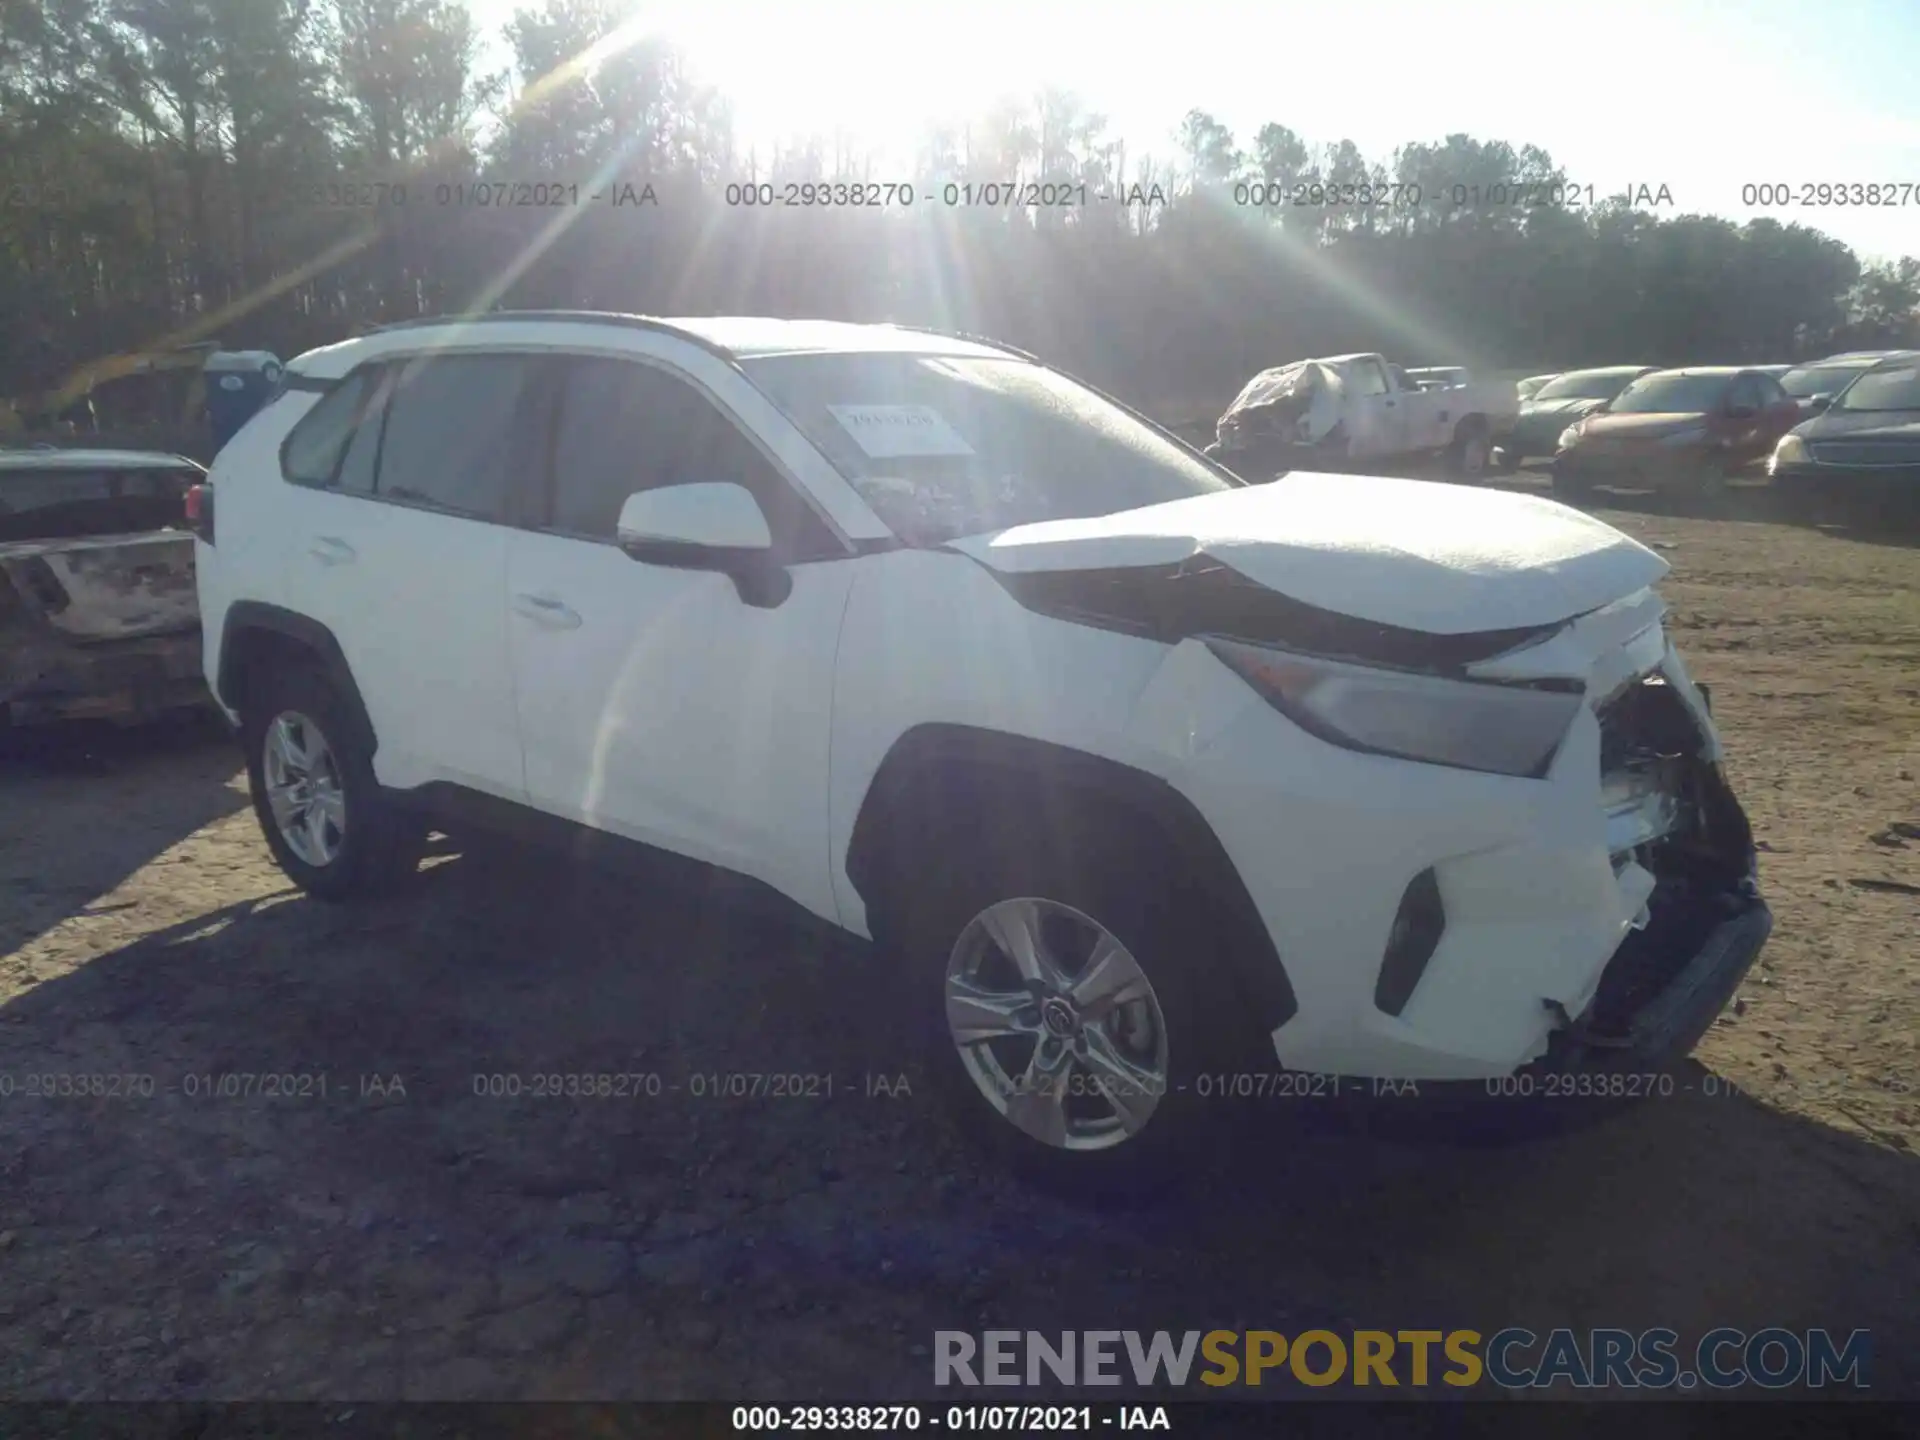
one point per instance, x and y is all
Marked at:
(1132, 892)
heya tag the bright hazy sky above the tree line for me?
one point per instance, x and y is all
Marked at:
(1704, 97)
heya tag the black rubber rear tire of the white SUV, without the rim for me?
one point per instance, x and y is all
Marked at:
(381, 842)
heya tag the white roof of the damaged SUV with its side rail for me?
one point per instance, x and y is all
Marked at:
(740, 335)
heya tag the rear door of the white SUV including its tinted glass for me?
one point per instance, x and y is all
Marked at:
(400, 494)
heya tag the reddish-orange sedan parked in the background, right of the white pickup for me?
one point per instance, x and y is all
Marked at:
(1689, 429)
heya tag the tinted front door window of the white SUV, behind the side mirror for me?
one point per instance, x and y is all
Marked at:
(629, 427)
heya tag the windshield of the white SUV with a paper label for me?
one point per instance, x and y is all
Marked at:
(957, 446)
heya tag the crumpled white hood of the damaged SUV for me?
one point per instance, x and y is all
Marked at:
(1410, 554)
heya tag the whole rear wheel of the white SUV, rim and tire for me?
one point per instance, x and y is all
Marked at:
(329, 825)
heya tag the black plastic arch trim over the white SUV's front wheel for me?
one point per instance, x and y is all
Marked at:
(990, 779)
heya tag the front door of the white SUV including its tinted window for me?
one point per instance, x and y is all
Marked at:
(658, 704)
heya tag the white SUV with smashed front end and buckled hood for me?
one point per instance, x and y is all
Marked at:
(1155, 788)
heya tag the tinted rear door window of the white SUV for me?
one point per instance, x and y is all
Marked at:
(462, 431)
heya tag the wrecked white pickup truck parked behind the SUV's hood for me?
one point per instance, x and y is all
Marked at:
(1362, 410)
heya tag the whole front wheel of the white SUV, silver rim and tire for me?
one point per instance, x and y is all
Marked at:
(1088, 896)
